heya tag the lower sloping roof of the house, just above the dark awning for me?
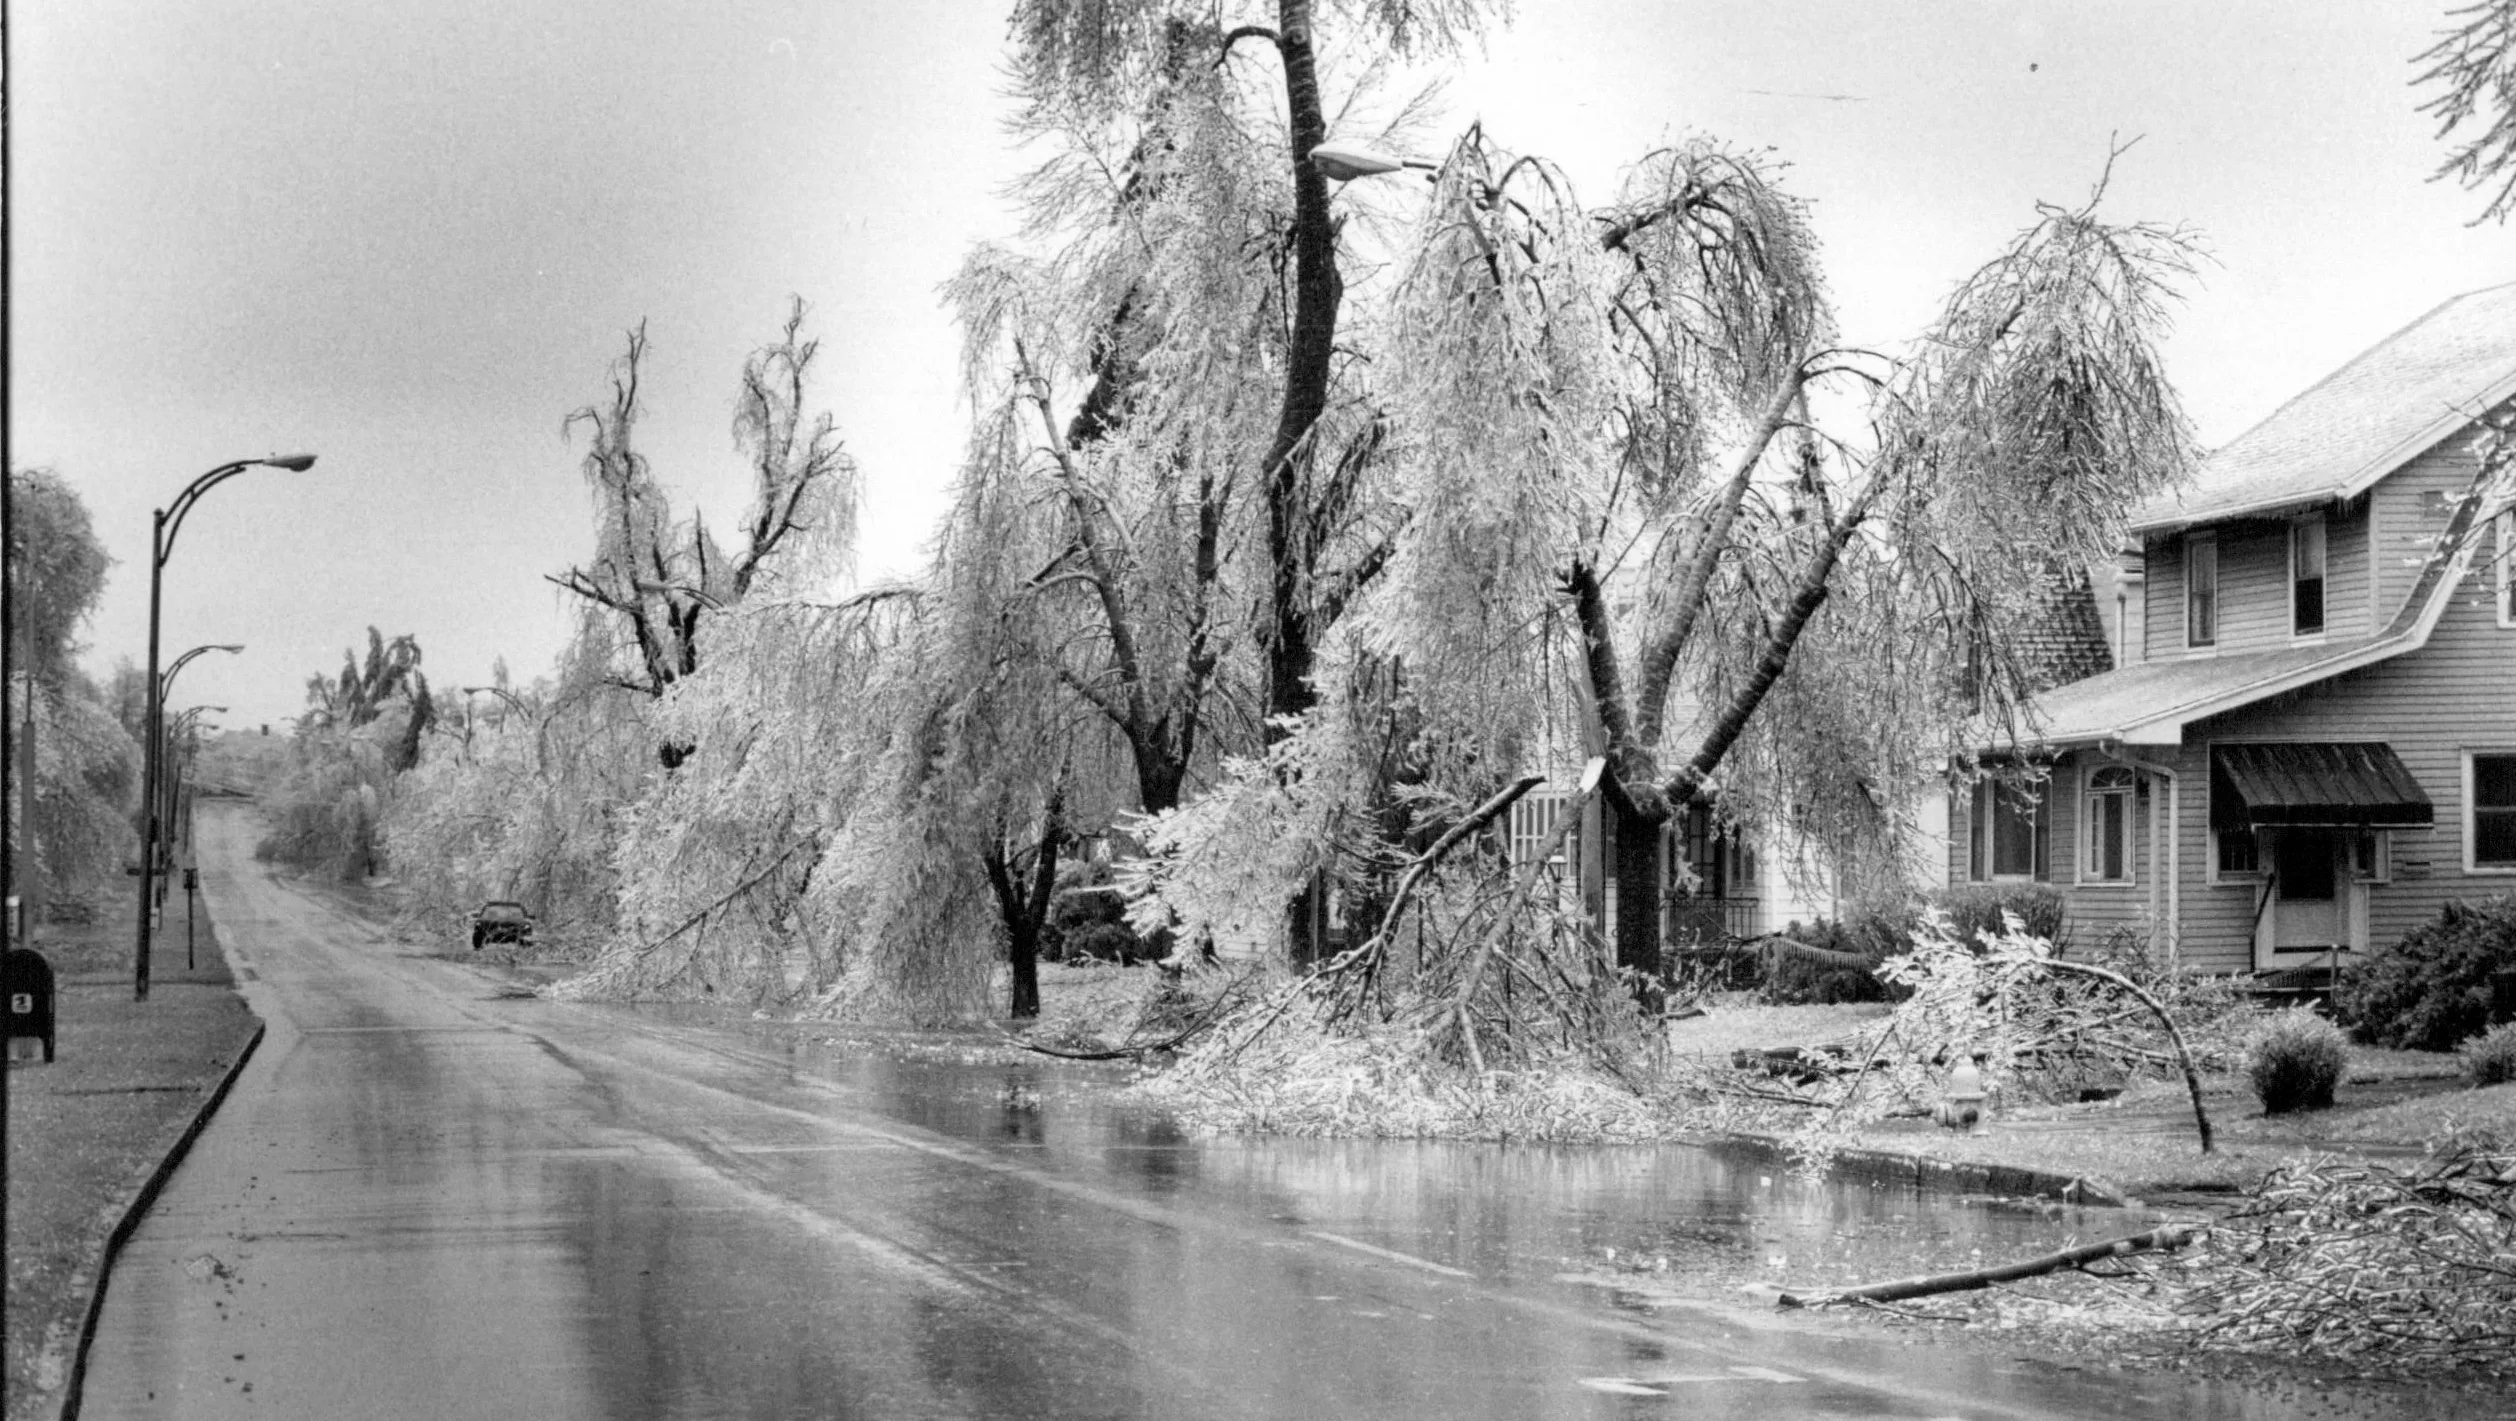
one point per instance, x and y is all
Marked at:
(2152, 703)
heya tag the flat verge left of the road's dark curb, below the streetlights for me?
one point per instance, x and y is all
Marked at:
(92, 1133)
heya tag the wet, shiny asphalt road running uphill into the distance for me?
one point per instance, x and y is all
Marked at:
(429, 1201)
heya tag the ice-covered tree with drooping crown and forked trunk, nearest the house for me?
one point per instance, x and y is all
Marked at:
(1629, 441)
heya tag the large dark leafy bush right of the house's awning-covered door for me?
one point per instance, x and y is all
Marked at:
(2434, 987)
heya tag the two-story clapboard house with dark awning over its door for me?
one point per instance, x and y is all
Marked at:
(2311, 738)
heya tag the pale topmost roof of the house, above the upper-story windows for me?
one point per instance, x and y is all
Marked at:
(2364, 421)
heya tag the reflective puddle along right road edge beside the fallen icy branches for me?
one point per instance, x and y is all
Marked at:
(1697, 1221)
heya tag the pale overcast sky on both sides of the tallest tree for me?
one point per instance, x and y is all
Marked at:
(409, 240)
